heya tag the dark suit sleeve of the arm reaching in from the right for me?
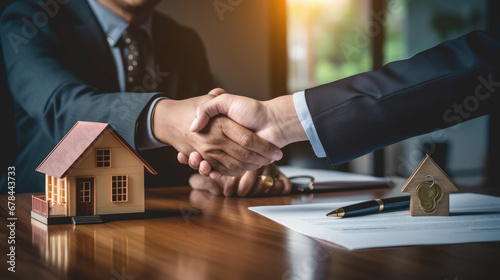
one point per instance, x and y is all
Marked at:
(440, 87)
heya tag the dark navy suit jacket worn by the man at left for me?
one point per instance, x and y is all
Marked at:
(61, 71)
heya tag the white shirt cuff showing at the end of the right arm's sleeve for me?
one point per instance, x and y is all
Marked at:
(299, 101)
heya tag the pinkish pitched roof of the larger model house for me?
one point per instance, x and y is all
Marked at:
(74, 145)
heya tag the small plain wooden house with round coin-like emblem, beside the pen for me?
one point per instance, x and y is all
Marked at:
(429, 189)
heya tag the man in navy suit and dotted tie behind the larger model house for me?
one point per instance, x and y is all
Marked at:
(119, 62)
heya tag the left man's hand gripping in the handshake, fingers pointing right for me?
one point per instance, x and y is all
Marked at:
(228, 147)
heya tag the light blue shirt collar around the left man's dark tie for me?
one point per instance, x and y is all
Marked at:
(112, 24)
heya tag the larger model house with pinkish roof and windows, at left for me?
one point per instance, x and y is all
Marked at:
(91, 172)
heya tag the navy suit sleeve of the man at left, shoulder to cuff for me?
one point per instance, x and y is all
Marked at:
(47, 90)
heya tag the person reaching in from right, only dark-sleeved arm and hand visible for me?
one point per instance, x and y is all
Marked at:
(443, 86)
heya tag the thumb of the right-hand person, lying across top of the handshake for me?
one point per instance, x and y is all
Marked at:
(216, 106)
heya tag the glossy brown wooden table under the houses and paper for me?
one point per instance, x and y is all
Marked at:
(198, 236)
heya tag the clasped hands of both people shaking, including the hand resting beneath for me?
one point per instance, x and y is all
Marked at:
(232, 140)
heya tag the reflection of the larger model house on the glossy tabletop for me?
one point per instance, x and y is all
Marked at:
(69, 247)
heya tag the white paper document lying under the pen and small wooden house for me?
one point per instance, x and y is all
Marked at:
(473, 218)
